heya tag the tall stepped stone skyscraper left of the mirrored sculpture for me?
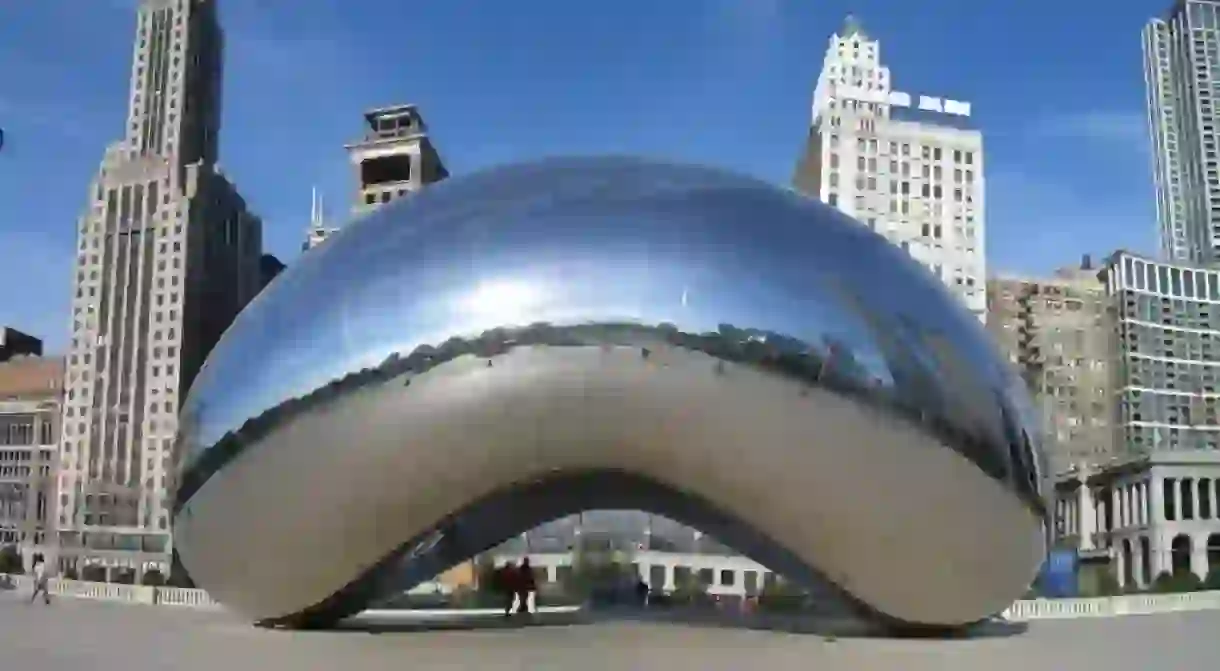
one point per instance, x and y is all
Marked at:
(168, 254)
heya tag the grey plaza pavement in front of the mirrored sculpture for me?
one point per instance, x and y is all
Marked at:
(75, 634)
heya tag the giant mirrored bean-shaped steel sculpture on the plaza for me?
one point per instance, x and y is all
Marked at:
(534, 341)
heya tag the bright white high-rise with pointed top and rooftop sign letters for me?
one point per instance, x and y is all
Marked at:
(910, 168)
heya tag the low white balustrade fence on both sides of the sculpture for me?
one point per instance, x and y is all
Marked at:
(1021, 612)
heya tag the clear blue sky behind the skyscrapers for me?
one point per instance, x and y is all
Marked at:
(1057, 88)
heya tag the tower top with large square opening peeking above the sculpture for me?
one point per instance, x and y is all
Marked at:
(396, 158)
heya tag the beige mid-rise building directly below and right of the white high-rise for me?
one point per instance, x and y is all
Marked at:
(1057, 332)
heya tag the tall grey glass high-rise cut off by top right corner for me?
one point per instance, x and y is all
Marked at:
(1183, 80)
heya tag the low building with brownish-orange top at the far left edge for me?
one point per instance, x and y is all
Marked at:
(31, 393)
